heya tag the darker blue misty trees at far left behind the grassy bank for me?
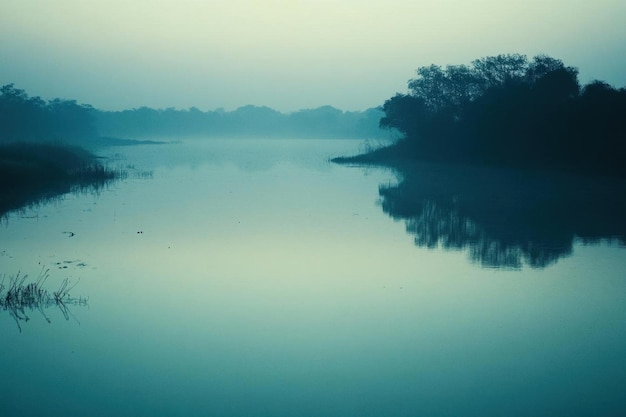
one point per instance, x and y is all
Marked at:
(24, 118)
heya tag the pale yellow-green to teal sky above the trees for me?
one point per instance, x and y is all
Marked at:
(286, 54)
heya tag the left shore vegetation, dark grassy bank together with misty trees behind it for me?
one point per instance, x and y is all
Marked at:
(39, 154)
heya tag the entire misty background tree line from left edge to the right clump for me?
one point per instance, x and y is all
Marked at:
(25, 118)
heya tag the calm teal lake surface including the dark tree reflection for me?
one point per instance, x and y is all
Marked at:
(255, 278)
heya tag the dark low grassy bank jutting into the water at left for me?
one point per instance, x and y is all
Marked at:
(35, 172)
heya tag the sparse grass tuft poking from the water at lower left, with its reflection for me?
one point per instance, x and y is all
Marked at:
(17, 297)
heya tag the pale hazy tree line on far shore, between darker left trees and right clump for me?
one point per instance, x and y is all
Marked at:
(246, 121)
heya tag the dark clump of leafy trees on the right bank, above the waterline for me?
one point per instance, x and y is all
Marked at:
(511, 111)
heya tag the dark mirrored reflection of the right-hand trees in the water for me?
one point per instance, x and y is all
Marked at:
(505, 218)
